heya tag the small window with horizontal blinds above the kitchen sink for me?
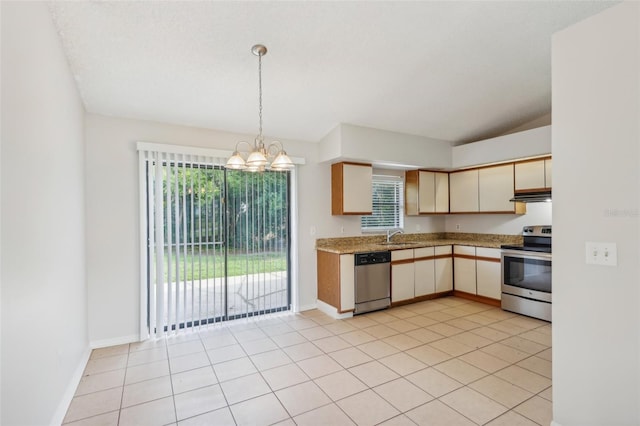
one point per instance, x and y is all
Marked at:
(388, 204)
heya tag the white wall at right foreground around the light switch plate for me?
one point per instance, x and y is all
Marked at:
(596, 155)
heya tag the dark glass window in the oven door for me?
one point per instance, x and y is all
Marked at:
(532, 274)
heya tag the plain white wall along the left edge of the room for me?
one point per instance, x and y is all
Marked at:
(44, 314)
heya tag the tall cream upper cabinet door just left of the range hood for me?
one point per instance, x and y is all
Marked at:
(496, 188)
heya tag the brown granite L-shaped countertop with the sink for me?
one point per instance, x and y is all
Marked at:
(347, 245)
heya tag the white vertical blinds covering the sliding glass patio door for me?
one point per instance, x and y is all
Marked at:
(215, 241)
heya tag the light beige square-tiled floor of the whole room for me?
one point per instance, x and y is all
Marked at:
(447, 362)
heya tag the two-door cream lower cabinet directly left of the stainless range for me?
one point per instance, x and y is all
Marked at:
(477, 271)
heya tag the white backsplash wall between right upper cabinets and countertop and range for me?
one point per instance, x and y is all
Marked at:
(509, 224)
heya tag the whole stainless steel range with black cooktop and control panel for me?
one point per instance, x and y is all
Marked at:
(526, 274)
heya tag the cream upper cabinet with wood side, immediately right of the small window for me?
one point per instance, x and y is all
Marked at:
(426, 192)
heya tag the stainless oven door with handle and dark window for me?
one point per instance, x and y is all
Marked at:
(526, 274)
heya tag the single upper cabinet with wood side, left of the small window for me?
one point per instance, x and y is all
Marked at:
(351, 189)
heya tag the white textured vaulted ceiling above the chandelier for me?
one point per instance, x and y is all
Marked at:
(456, 71)
